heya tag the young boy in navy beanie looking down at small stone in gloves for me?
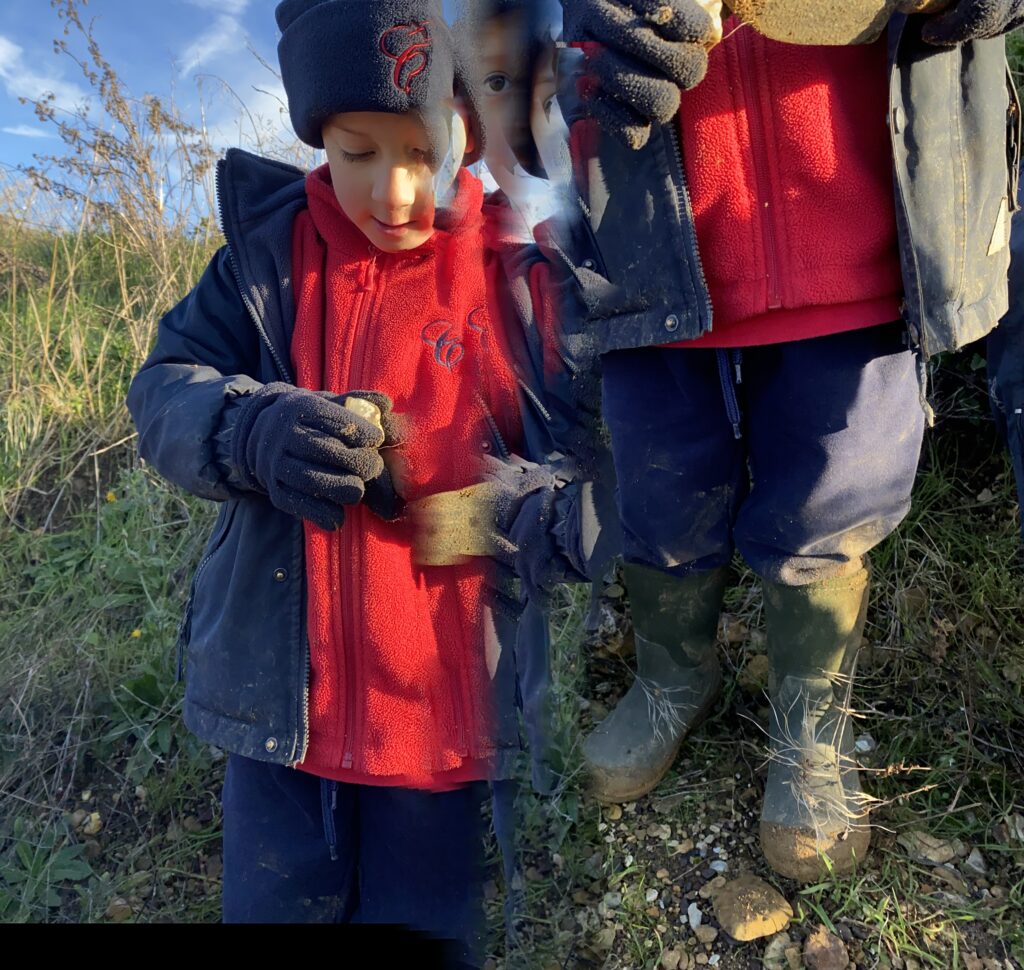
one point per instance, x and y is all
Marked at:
(352, 686)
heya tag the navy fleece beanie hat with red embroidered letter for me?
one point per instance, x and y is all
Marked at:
(386, 56)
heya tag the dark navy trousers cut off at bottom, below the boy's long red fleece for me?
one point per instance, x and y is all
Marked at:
(303, 850)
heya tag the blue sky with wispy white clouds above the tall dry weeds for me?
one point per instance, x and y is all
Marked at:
(161, 49)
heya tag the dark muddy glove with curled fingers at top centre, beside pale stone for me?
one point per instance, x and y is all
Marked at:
(650, 51)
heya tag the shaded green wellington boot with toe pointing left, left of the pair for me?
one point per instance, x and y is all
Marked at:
(678, 679)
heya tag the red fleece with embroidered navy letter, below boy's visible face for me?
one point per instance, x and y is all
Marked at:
(400, 688)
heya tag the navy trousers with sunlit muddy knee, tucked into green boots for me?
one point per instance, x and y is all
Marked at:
(800, 455)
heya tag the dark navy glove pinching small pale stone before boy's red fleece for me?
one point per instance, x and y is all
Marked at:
(312, 456)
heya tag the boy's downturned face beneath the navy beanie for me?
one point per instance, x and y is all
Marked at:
(381, 177)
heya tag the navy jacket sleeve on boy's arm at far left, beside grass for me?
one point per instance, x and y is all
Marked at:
(184, 398)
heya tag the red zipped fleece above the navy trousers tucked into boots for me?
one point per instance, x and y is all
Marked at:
(789, 164)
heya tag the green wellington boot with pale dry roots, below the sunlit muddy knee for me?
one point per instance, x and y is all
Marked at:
(815, 806)
